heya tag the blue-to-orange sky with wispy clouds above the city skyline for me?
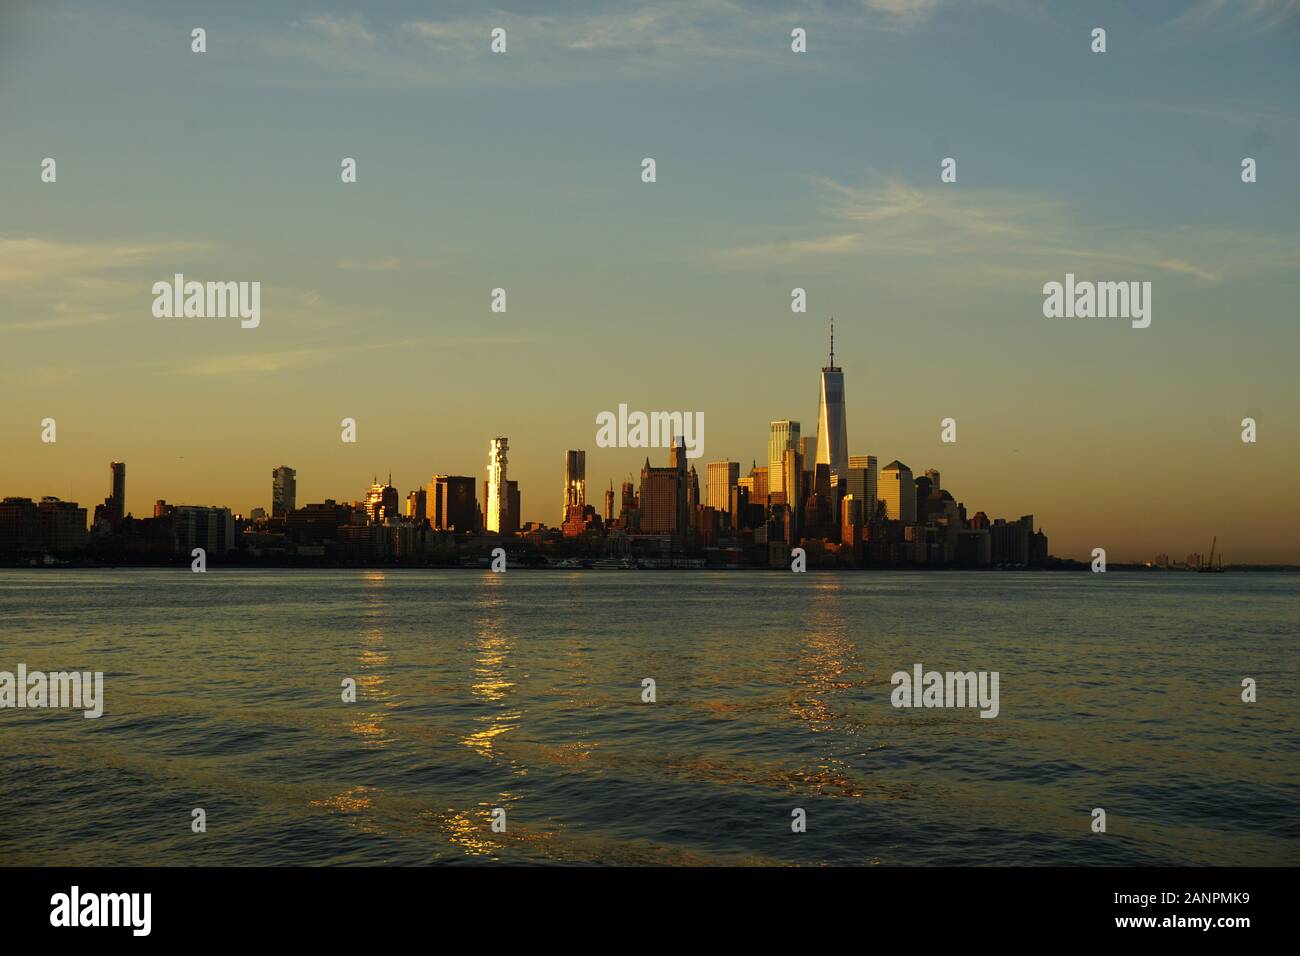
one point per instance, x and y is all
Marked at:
(774, 171)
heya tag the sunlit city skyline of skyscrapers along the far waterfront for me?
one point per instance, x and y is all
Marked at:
(669, 500)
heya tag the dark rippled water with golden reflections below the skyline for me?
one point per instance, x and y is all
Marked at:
(523, 691)
